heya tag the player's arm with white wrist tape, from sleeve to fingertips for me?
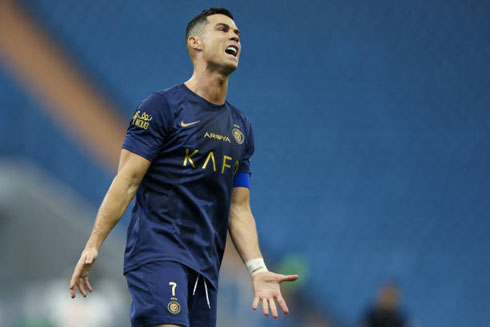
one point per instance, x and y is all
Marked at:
(243, 232)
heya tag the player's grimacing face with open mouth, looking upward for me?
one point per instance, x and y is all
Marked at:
(221, 42)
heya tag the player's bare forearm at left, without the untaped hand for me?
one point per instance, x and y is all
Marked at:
(115, 203)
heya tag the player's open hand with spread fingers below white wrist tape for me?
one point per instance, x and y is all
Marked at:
(266, 288)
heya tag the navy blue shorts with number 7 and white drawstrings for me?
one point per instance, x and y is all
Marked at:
(167, 292)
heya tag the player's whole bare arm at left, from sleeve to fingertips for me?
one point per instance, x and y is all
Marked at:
(132, 168)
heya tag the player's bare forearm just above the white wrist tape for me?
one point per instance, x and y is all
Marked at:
(243, 232)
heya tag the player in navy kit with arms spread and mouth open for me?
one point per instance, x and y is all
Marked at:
(186, 156)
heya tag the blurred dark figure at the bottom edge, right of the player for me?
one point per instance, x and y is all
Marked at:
(386, 312)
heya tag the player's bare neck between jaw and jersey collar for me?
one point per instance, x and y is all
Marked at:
(211, 86)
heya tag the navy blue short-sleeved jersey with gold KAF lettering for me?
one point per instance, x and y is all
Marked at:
(182, 205)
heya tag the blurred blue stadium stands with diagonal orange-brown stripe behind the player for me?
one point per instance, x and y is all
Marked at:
(372, 163)
